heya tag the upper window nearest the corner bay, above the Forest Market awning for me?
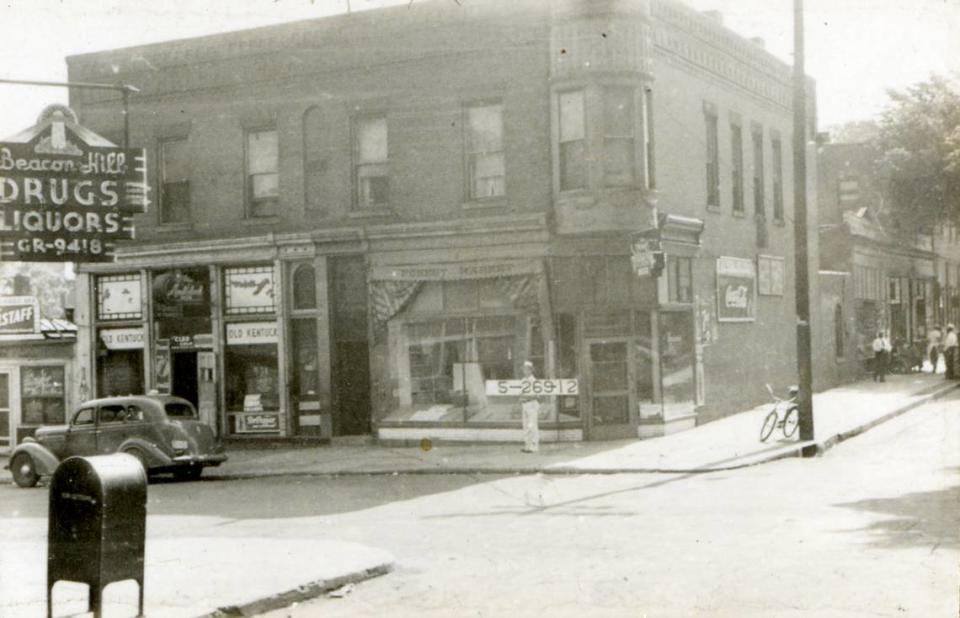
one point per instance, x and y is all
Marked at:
(485, 164)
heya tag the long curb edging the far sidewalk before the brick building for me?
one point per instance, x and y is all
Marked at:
(797, 450)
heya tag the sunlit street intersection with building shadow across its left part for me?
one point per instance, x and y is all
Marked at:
(871, 529)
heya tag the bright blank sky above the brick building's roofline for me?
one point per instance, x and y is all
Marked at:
(856, 49)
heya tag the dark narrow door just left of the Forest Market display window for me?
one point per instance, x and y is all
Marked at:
(352, 387)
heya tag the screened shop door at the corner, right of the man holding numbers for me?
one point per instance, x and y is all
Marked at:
(612, 401)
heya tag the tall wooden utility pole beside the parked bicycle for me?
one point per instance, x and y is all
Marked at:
(801, 245)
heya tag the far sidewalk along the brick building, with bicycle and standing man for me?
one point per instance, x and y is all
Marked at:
(732, 442)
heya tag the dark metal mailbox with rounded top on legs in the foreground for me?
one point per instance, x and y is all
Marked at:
(97, 525)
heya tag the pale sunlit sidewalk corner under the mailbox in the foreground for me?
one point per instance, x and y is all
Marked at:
(193, 577)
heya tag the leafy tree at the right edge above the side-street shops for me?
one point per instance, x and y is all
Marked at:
(918, 150)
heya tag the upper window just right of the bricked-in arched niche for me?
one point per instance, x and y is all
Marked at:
(372, 171)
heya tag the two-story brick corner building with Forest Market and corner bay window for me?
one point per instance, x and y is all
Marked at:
(358, 220)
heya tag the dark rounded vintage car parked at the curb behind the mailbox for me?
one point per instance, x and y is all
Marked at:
(162, 431)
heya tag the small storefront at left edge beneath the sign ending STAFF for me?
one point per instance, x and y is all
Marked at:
(35, 368)
